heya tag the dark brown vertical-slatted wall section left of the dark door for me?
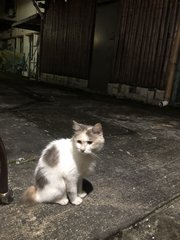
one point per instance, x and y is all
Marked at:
(67, 38)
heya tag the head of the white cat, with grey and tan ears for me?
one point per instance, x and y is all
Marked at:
(88, 139)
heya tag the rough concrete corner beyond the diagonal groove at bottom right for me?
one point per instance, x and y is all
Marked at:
(162, 224)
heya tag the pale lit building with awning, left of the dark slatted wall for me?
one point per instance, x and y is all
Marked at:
(20, 43)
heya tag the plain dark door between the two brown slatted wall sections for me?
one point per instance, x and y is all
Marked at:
(104, 38)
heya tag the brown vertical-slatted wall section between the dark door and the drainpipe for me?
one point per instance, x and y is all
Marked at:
(145, 34)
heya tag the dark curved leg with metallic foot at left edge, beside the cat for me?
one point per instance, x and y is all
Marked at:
(6, 195)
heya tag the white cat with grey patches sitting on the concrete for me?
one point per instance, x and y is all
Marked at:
(63, 164)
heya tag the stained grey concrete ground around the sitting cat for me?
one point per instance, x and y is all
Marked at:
(134, 193)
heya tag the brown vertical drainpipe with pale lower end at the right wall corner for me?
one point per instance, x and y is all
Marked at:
(172, 67)
